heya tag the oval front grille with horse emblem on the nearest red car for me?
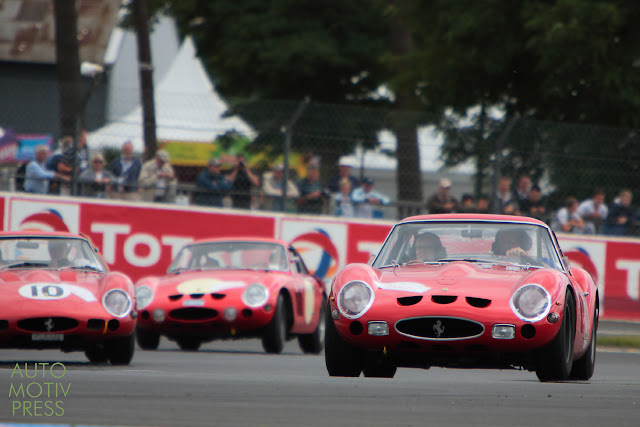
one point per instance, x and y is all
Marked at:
(439, 328)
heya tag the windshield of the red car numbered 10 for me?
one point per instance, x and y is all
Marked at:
(48, 252)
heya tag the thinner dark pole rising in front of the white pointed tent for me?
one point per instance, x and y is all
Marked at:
(145, 69)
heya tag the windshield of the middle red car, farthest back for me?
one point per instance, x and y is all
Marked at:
(231, 255)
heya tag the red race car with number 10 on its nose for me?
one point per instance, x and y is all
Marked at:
(58, 293)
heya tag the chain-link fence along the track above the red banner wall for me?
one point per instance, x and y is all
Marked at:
(404, 154)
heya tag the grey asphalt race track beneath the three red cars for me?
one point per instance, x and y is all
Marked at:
(235, 384)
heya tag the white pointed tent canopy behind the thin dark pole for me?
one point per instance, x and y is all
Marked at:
(187, 109)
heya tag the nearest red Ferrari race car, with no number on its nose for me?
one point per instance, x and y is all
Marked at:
(464, 291)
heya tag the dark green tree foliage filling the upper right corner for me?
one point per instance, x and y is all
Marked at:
(573, 61)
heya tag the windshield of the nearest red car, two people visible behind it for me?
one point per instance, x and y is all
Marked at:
(474, 241)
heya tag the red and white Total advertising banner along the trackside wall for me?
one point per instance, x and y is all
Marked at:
(141, 239)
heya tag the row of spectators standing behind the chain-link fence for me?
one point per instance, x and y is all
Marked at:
(236, 185)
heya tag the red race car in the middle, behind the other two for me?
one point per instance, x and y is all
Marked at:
(236, 288)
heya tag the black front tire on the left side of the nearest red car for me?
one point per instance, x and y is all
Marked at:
(341, 358)
